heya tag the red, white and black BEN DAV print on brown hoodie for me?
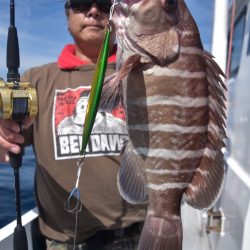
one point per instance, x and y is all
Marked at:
(108, 133)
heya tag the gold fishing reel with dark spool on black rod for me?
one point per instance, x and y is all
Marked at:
(17, 100)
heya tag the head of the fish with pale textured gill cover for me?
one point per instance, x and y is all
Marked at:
(153, 28)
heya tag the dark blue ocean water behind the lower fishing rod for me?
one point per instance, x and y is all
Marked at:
(7, 188)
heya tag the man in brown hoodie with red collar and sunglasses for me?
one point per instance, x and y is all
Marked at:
(105, 220)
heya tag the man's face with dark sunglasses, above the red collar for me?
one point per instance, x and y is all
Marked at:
(87, 20)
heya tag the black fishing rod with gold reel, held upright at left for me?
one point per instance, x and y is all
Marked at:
(18, 100)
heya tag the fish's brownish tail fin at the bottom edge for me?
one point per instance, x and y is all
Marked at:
(161, 234)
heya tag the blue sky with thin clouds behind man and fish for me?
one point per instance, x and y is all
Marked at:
(42, 30)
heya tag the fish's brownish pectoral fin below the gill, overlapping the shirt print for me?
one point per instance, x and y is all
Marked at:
(112, 93)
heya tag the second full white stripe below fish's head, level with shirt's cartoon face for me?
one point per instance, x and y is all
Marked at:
(171, 101)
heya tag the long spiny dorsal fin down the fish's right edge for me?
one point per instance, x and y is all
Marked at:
(208, 180)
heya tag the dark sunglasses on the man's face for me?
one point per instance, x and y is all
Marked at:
(85, 5)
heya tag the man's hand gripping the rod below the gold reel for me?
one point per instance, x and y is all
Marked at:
(10, 138)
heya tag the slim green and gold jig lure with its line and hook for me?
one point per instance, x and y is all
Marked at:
(73, 203)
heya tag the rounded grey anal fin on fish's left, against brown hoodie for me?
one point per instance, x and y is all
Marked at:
(130, 180)
